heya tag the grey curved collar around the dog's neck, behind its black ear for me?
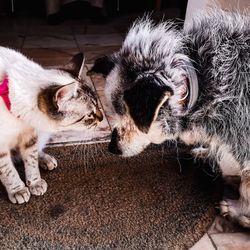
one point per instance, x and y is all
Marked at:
(188, 86)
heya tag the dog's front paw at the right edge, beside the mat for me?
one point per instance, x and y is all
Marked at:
(236, 211)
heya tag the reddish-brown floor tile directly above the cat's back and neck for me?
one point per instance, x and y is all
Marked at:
(50, 56)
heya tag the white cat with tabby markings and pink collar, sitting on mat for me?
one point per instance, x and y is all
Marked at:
(34, 103)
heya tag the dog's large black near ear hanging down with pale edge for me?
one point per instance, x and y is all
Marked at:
(144, 101)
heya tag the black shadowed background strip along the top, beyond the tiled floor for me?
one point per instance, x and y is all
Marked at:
(57, 11)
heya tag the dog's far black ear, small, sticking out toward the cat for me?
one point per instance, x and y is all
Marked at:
(102, 65)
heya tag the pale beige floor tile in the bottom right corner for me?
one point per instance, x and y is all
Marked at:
(231, 241)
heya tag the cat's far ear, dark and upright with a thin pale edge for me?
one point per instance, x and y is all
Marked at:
(75, 65)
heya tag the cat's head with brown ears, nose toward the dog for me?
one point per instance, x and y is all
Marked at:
(69, 101)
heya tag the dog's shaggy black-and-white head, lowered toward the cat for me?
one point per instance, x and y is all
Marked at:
(150, 84)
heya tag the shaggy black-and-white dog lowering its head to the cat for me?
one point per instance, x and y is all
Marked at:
(192, 85)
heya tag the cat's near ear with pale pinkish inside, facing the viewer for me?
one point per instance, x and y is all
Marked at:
(64, 93)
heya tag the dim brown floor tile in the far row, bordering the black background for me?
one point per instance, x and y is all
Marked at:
(53, 41)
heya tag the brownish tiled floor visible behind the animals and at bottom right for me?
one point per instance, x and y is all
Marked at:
(54, 45)
